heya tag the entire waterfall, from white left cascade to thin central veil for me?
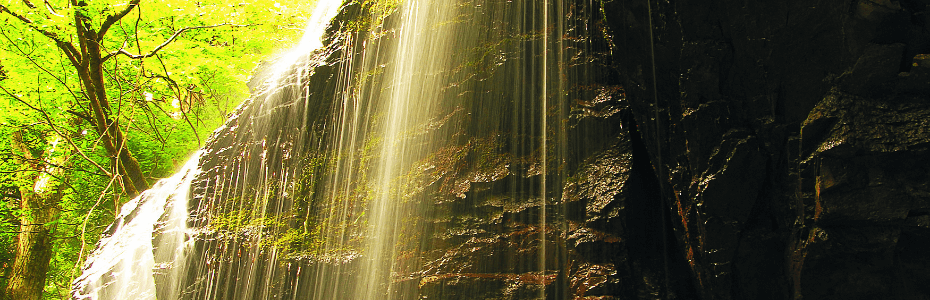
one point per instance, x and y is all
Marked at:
(416, 150)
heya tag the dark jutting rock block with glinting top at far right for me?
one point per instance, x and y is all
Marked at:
(870, 196)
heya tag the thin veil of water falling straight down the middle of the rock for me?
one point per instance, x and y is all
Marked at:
(426, 102)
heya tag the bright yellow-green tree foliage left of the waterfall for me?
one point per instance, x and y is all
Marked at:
(167, 104)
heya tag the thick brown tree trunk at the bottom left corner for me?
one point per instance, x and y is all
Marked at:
(39, 203)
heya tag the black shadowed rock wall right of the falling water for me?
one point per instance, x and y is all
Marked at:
(791, 141)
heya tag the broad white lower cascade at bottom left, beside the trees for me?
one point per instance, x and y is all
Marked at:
(146, 244)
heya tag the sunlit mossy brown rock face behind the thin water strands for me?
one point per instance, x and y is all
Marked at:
(476, 200)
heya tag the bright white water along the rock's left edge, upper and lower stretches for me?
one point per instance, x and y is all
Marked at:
(142, 254)
